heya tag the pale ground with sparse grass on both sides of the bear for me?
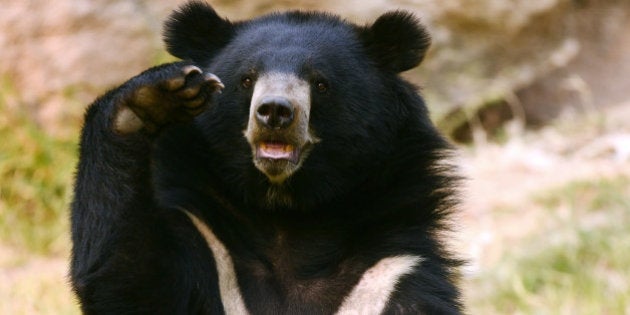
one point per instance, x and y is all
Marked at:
(544, 214)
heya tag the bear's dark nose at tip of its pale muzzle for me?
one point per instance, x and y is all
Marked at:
(274, 112)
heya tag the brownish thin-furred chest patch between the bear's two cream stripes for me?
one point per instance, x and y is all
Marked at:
(290, 281)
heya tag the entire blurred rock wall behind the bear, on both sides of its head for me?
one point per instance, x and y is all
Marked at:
(533, 56)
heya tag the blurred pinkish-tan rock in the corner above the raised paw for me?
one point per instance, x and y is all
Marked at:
(59, 55)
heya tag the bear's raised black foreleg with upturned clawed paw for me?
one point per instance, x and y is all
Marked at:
(122, 249)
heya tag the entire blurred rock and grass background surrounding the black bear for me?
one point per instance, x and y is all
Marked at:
(535, 93)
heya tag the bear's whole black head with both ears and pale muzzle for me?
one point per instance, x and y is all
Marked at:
(311, 97)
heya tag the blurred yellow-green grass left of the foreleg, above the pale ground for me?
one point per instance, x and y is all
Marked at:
(36, 171)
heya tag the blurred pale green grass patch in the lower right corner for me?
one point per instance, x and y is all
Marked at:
(578, 264)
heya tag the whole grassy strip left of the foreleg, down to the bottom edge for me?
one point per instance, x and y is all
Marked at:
(36, 171)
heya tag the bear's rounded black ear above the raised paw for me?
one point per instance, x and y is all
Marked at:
(196, 32)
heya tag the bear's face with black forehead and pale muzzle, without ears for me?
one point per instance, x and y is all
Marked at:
(291, 71)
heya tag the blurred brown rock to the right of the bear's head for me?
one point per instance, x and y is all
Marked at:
(538, 60)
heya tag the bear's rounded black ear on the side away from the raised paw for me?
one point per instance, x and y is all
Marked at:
(396, 41)
